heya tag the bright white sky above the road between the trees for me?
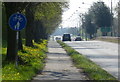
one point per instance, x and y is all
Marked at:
(70, 17)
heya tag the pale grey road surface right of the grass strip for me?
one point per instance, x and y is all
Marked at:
(102, 53)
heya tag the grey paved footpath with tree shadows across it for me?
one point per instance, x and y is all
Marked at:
(59, 65)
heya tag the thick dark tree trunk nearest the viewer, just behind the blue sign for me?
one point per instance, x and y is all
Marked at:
(11, 36)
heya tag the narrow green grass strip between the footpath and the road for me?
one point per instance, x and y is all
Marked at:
(94, 71)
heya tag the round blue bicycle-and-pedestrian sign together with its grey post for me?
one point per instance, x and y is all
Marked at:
(17, 22)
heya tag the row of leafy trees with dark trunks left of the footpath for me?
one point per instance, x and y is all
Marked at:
(42, 19)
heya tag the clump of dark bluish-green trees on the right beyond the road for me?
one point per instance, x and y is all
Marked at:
(99, 16)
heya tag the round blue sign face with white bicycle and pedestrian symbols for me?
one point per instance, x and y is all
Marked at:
(17, 21)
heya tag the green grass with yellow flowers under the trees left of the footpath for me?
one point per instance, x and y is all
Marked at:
(31, 61)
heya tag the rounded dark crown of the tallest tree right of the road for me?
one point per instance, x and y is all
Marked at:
(101, 14)
